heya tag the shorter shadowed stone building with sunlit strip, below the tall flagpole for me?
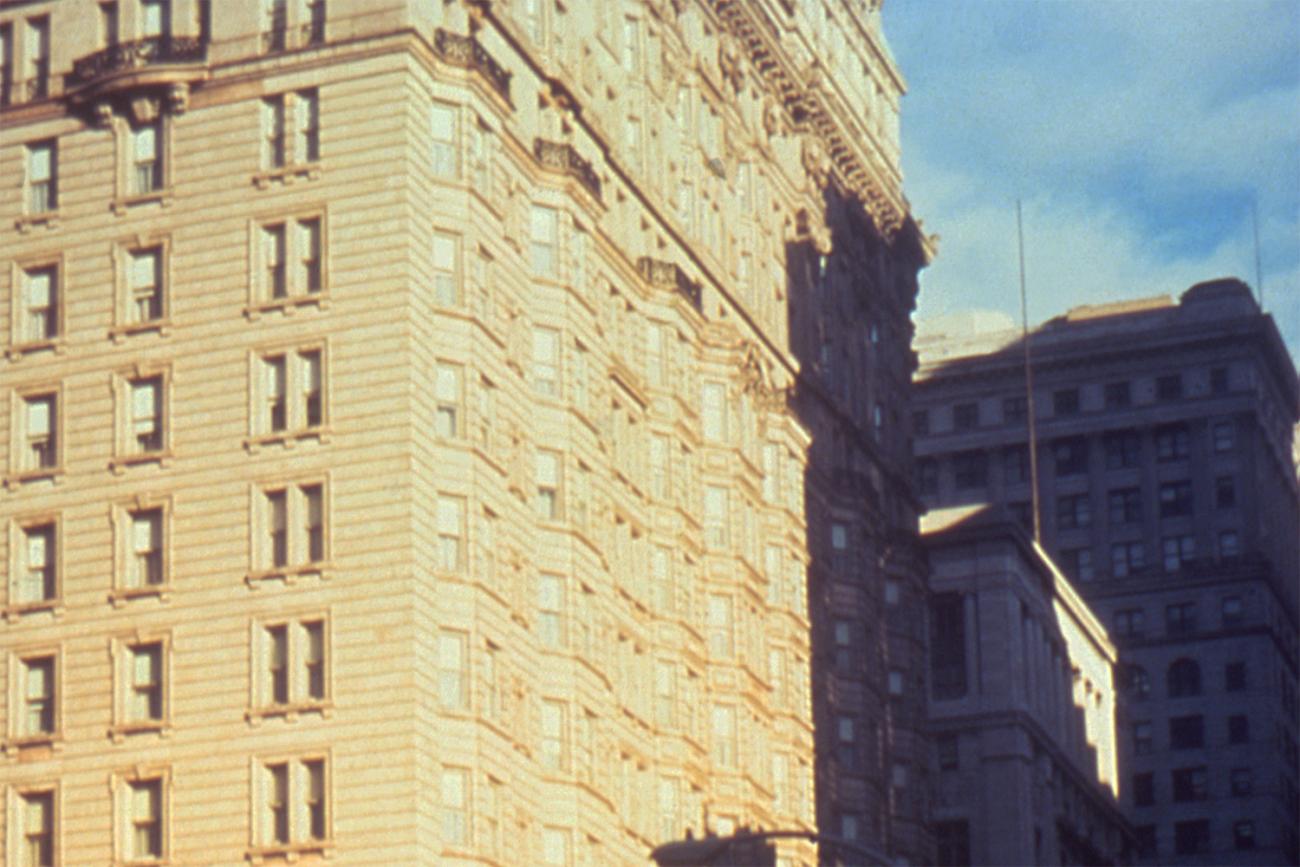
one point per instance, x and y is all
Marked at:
(1022, 703)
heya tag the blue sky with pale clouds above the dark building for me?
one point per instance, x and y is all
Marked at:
(1136, 133)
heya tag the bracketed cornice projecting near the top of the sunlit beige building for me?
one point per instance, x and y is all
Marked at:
(814, 110)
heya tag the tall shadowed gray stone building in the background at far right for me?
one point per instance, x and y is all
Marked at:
(1169, 495)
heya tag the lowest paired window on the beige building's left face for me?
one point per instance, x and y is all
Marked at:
(294, 797)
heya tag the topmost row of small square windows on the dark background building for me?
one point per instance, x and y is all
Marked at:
(1124, 395)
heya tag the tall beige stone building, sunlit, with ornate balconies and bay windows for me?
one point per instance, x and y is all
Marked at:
(424, 419)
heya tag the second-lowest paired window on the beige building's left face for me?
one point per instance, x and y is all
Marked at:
(294, 666)
